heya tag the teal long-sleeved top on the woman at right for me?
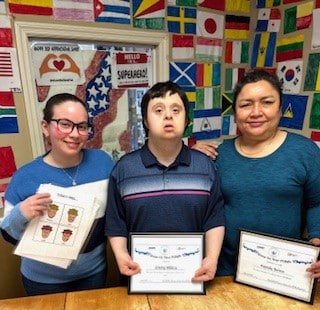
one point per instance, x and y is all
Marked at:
(269, 194)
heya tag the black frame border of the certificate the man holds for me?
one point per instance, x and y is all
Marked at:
(164, 235)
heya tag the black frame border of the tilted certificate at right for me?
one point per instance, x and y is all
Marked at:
(290, 240)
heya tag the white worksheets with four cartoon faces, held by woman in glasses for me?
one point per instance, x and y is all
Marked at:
(58, 236)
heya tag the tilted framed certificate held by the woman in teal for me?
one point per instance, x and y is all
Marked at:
(276, 264)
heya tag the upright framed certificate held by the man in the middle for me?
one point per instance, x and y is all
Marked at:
(168, 262)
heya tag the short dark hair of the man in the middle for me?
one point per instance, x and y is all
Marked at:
(160, 90)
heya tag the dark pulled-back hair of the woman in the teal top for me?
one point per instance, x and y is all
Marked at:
(254, 76)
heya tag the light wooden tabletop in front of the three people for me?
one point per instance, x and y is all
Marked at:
(222, 294)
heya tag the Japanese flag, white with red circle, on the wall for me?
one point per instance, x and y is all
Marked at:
(210, 25)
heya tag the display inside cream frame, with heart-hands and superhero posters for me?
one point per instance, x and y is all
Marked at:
(106, 77)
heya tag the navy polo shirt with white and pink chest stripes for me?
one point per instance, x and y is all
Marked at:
(145, 196)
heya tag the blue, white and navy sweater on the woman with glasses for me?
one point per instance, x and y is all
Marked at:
(92, 177)
